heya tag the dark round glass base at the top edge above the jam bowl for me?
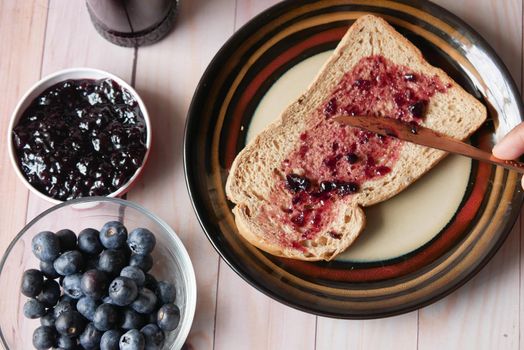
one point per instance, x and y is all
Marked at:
(132, 23)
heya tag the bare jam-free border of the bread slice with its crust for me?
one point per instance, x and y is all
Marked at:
(446, 113)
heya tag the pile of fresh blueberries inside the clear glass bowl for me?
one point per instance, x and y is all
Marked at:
(105, 298)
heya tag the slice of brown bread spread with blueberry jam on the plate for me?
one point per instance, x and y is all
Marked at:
(300, 185)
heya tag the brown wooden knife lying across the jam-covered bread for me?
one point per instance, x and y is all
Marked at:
(419, 135)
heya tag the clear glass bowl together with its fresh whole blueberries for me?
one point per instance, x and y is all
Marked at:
(161, 271)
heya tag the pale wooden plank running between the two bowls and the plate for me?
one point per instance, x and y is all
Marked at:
(166, 77)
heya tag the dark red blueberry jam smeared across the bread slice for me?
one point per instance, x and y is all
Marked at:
(336, 159)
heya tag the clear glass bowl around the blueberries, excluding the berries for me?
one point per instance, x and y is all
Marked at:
(171, 263)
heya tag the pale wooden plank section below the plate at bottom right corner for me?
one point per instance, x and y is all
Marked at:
(483, 314)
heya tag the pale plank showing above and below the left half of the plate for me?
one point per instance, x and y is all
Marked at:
(246, 318)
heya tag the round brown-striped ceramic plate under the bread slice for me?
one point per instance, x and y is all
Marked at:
(418, 246)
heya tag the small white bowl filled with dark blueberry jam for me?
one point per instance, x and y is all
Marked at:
(79, 132)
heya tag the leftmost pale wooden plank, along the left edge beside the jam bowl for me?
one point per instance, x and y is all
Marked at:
(22, 31)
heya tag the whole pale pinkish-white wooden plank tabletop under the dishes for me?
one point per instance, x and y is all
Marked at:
(38, 37)
